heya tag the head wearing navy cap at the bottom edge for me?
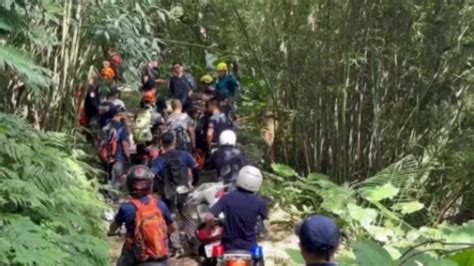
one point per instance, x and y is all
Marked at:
(319, 238)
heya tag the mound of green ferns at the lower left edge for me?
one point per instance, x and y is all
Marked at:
(50, 213)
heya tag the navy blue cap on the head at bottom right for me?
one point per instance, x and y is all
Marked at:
(318, 233)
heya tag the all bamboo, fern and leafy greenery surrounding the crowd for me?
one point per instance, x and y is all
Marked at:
(376, 95)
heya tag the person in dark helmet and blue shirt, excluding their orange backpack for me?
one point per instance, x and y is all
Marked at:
(140, 184)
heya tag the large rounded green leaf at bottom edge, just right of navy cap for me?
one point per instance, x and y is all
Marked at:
(369, 253)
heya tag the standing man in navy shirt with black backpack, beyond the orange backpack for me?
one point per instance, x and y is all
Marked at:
(161, 167)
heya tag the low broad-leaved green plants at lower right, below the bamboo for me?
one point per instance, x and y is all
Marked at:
(375, 216)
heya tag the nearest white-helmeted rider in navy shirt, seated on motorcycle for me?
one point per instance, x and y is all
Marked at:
(242, 209)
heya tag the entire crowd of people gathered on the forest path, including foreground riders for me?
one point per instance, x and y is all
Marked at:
(166, 145)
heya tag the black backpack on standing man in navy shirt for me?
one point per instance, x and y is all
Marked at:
(175, 174)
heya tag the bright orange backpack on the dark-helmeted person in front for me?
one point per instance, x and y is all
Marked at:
(150, 236)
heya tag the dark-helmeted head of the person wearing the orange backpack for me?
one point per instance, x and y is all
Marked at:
(139, 181)
